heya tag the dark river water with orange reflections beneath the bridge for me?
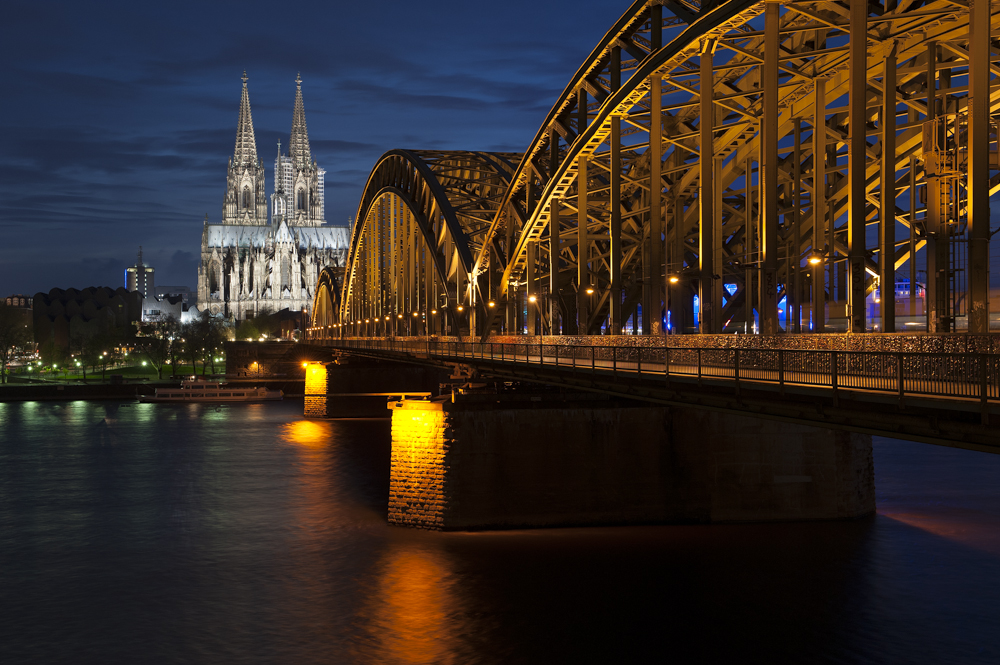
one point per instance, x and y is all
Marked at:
(146, 533)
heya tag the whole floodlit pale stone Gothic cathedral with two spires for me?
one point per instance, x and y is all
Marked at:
(250, 265)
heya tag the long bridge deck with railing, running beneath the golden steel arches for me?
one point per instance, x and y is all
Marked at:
(943, 398)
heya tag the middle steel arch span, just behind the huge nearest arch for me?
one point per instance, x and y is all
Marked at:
(422, 218)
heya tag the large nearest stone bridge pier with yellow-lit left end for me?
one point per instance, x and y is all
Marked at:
(481, 462)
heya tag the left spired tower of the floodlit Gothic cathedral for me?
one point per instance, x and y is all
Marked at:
(246, 201)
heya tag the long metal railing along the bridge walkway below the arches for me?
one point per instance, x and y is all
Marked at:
(958, 375)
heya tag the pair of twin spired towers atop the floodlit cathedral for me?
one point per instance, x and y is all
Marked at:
(298, 197)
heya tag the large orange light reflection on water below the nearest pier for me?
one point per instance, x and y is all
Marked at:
(412, 615)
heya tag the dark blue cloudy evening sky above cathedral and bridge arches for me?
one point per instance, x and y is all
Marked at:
(117, 120)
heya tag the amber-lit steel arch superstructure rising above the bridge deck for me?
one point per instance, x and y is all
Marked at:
(804, 154)
